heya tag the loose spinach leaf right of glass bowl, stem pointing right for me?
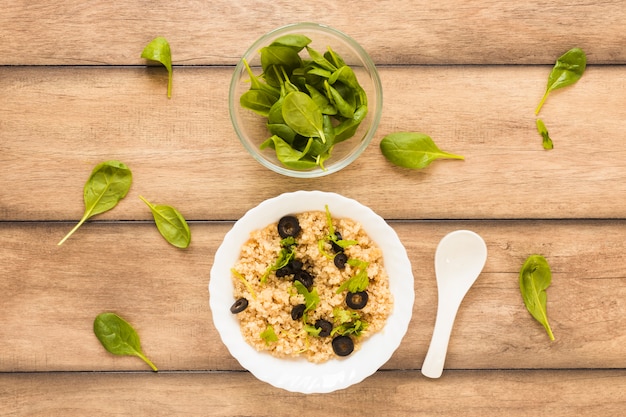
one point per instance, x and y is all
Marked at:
(412, 150)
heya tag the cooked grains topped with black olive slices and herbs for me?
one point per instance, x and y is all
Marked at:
(283, 312)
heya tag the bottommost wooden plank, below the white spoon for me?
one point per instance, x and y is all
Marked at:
(457, 393)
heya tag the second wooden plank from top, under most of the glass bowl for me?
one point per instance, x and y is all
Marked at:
(58, 123)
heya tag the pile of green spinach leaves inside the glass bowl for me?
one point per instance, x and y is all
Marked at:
(310, 104)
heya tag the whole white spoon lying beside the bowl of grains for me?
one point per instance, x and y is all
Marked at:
(459, 259)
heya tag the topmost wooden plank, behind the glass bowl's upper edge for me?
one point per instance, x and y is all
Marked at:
(72, 32)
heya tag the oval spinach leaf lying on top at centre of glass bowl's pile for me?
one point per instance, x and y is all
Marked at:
(303, 115)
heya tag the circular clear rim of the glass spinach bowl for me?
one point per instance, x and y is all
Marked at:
(370, 68)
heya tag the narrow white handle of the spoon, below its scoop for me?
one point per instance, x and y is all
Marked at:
(436, 356)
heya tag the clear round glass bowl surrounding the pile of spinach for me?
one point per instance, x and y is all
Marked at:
(251, 128)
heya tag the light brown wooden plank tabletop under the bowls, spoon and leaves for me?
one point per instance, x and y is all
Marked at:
(75, 92)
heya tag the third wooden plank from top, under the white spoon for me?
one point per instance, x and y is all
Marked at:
(52, 294)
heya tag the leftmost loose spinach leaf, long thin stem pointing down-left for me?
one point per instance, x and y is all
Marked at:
(108, 183)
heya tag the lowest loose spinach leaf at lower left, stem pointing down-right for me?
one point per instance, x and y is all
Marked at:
(119, 337)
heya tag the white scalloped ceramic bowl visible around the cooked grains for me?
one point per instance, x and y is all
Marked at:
(300, 375)
